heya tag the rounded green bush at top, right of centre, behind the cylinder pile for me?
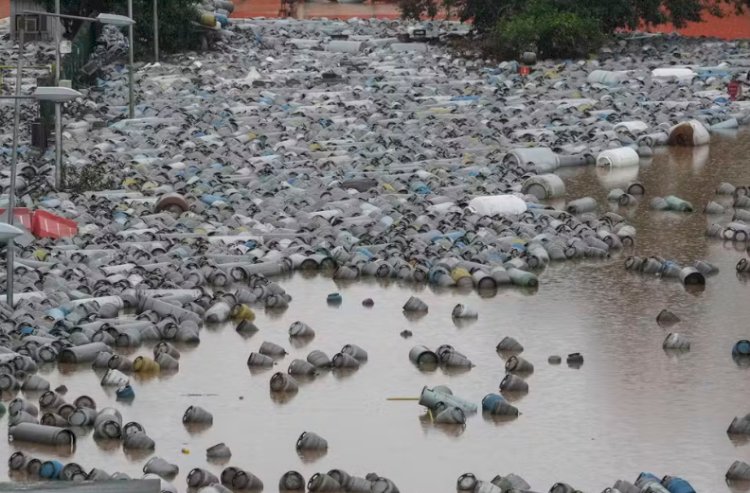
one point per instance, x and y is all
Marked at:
(548, 32)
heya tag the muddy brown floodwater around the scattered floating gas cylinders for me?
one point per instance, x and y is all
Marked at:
(630, 408)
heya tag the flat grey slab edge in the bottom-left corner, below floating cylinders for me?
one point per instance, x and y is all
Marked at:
(114, 486)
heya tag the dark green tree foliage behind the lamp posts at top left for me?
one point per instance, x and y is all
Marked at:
(175, 30)
